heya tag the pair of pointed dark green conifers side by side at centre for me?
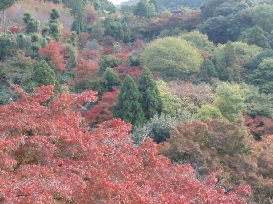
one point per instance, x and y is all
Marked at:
(138, 104)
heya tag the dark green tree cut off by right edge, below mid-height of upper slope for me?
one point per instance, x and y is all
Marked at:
(262, 77)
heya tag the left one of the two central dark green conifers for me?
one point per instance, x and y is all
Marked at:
(128, 107)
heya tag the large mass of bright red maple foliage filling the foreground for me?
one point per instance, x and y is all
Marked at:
(49, 156)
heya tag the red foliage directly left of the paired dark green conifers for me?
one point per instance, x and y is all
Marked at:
(102, 111)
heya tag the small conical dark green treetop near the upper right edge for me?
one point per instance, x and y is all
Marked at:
(255, 36)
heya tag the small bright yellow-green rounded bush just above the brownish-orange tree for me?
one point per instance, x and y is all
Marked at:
(208, 111)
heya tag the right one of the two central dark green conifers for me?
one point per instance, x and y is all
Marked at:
(151, 99)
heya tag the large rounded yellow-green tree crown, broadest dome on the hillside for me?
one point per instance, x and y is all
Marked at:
(172, 57)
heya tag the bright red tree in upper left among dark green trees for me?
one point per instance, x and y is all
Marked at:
(56, 53)
